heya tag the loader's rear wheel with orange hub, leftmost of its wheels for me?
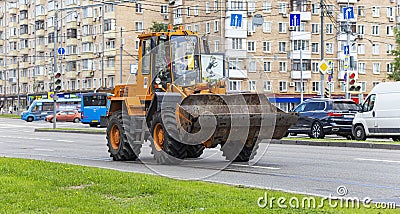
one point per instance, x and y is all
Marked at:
(117, 142)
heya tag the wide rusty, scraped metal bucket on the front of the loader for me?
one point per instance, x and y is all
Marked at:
(242, 117)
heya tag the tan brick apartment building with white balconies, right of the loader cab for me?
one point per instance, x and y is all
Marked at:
(266, 58)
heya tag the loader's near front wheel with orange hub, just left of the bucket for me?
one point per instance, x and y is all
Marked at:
(165, 147)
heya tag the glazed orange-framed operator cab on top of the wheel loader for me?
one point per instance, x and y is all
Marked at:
(169, 58)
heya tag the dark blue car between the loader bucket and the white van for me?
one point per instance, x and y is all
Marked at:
(320, 117)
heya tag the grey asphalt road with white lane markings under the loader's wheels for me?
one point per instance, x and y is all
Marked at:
(313, 170)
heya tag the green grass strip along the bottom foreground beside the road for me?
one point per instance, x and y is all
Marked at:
(30, 186)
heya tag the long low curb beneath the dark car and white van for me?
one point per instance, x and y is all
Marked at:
(338, 144)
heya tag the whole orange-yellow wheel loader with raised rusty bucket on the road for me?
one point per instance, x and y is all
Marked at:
(180, 115)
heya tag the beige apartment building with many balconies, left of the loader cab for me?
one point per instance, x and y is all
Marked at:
(89, 35)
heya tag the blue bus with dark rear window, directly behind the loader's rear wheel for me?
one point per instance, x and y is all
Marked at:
(94, 109)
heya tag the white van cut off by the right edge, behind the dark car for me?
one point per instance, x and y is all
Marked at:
(380, 113)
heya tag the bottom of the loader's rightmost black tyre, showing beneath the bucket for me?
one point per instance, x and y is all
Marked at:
(230, 151)
